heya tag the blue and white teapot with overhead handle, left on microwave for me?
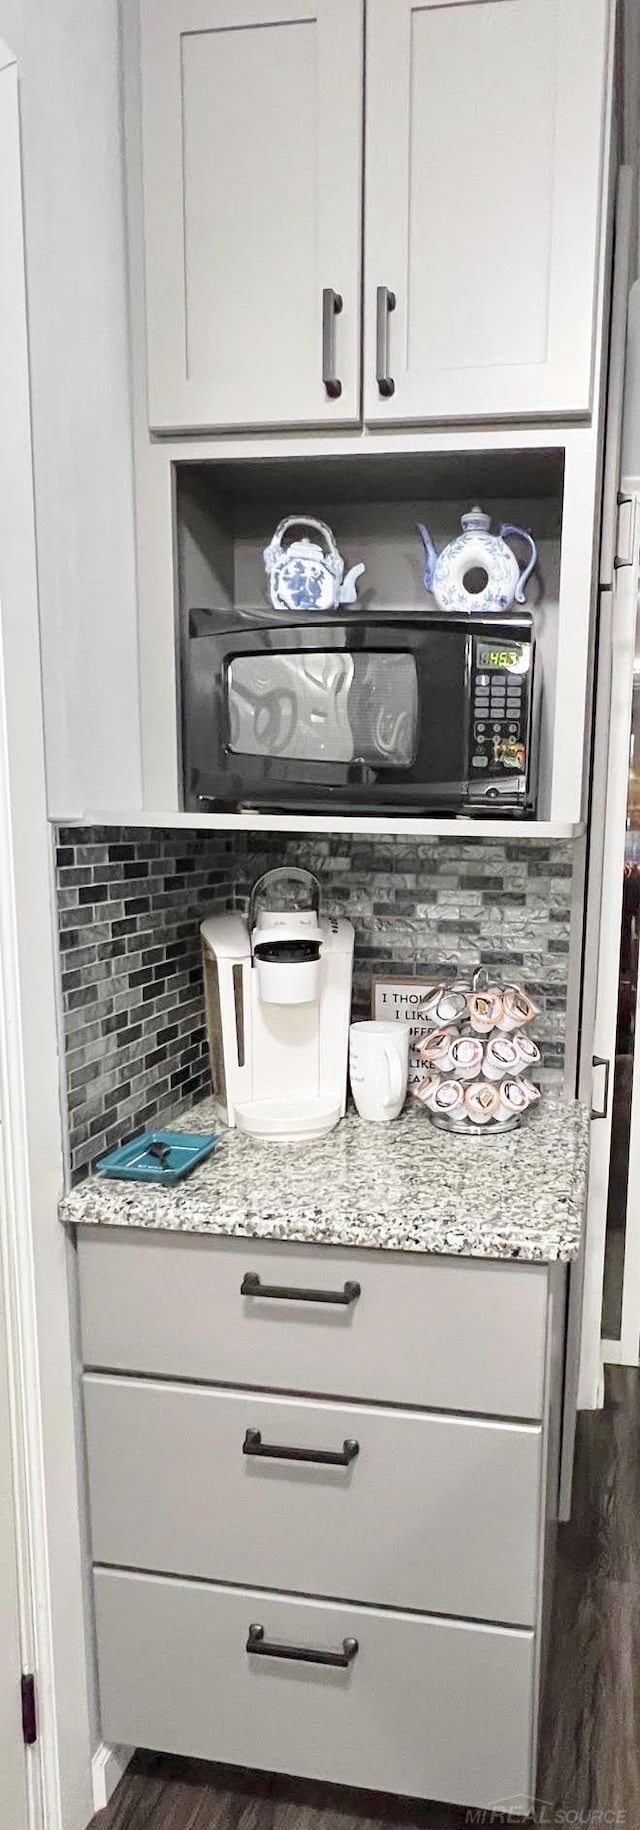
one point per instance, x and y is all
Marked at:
(308, 576)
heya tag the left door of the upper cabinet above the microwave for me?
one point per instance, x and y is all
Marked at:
(253, 206)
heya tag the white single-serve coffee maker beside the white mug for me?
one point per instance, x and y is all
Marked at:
(279, 1002)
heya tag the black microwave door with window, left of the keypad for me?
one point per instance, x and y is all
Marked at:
(348, 715)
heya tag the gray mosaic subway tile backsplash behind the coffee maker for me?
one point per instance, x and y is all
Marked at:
(131, 903)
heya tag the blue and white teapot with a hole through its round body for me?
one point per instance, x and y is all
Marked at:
(478, 572)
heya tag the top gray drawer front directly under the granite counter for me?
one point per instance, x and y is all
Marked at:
(454, 1335)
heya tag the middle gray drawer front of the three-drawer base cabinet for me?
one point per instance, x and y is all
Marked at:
(432, 1512)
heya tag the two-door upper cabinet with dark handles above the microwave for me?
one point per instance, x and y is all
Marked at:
(480, 211)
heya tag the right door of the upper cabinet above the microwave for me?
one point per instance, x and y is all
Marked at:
(484, 191)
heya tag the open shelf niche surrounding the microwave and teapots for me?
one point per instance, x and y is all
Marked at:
(228, 511)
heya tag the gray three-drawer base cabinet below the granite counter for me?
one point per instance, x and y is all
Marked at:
(277, 1478)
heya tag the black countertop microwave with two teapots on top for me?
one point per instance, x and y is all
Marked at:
(359, 713)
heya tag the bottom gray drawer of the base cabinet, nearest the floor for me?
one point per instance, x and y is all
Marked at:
(432, 1708)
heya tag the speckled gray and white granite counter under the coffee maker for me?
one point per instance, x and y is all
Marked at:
(403, 1189)
